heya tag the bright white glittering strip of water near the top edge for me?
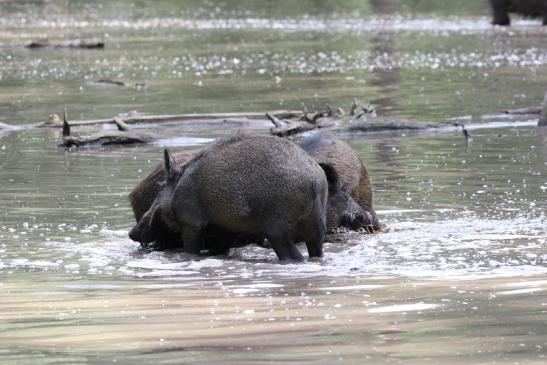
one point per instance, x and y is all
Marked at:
(310, 24)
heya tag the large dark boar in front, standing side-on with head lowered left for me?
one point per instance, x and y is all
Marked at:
(260, 186)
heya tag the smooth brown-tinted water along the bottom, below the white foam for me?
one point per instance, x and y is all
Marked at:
(382, 320)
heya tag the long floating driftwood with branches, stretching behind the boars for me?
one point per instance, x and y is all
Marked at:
(361, 118)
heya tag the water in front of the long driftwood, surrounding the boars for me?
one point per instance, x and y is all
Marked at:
(464, 265)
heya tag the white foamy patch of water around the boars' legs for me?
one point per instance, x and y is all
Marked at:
(448, 247)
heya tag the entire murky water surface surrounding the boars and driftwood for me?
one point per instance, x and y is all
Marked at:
(461, 277)
